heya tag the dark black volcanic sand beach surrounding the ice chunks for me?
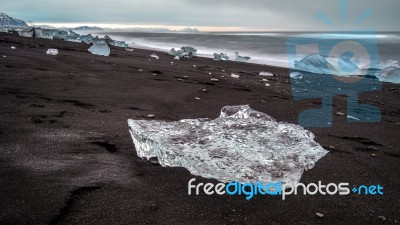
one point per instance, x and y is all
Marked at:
(66, 156)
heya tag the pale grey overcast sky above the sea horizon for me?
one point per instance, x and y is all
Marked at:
(217, 14)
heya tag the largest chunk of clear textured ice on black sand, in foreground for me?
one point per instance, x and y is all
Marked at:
(241, 144)
